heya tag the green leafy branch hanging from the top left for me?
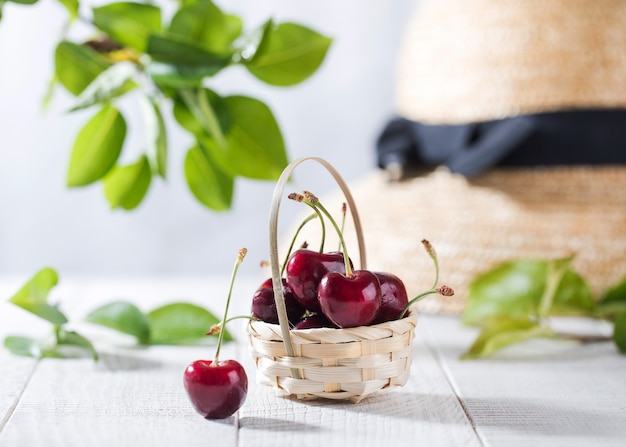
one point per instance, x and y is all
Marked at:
(163, 63)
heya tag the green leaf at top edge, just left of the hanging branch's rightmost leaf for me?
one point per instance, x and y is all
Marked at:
(202, 22)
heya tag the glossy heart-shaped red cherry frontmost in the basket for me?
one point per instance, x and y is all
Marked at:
(350, 301)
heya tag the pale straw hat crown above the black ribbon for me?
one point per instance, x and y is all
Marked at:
(478, 60)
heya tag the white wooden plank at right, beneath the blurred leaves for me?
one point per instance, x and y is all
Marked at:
(542, 393)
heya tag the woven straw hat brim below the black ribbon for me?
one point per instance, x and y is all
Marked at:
(475, 224)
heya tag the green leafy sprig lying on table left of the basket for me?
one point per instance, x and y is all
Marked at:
(171, 324)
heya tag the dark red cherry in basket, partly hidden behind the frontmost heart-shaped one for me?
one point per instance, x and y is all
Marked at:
(304, 271)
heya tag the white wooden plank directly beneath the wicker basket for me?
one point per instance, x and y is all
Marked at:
(424, 411)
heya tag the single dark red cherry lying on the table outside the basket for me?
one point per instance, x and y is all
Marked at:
(216, 392)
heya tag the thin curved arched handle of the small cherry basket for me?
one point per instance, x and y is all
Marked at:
(273, 229)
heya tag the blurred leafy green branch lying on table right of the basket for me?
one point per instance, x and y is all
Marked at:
(513, 301)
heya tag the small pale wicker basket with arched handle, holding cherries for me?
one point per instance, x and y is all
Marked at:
(346, 364)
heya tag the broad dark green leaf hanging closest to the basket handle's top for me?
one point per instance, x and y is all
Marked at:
(254, 145)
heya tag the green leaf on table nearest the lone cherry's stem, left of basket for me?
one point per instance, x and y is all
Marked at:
(181, 323)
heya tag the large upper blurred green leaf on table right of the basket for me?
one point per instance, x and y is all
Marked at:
(515, 289)
